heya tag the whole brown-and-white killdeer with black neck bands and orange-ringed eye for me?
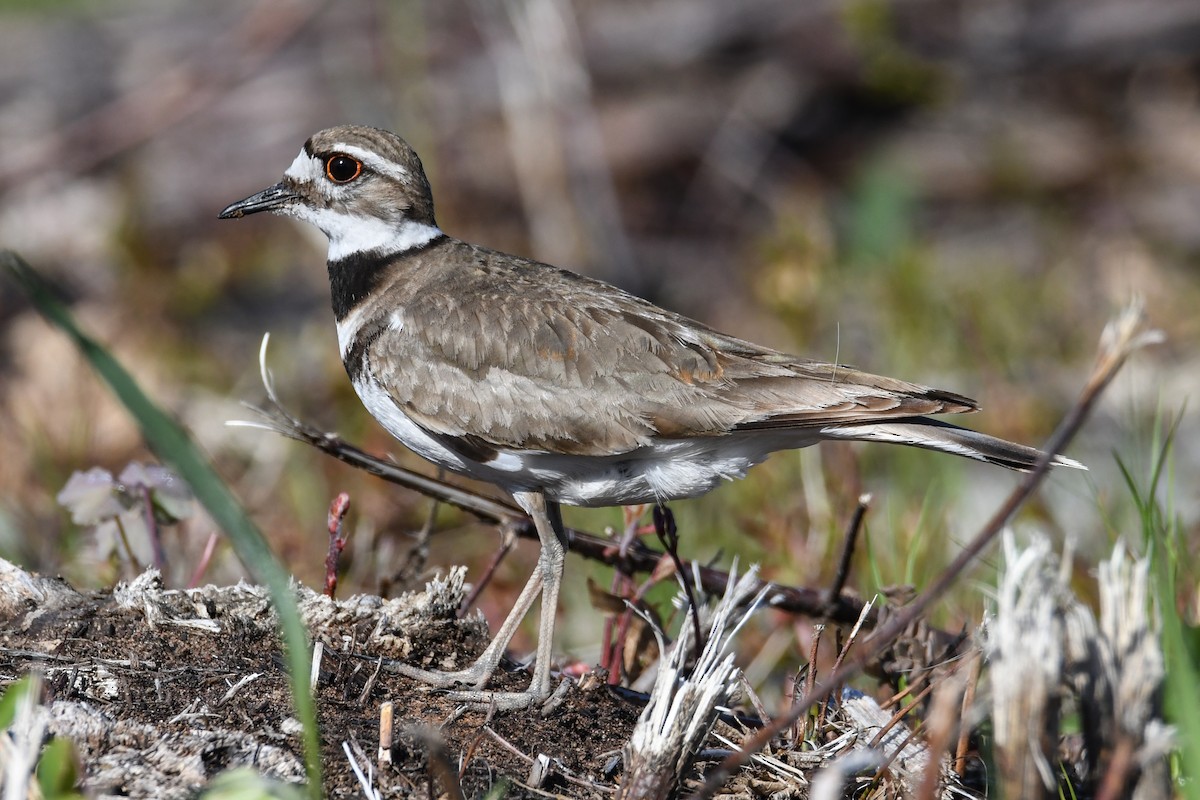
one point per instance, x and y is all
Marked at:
(557, 388)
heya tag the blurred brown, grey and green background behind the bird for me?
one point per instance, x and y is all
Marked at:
(955, 194)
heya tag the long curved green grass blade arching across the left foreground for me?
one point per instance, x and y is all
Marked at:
(172, 443)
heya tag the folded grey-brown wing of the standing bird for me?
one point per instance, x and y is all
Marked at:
(559, 363)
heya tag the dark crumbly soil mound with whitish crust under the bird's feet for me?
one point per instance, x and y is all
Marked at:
(163, 690)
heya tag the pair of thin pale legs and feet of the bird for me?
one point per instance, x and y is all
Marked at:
(547, 581)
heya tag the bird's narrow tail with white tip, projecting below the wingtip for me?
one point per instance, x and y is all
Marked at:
(944, 437)
